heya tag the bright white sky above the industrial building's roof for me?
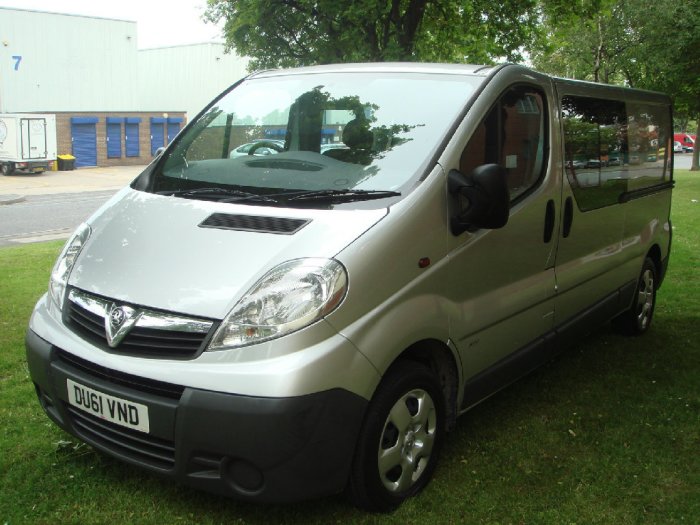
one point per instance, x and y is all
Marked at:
(183, 17)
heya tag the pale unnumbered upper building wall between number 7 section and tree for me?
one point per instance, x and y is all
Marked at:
(191, 75)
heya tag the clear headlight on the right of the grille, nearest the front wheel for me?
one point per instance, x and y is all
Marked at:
(288, 298)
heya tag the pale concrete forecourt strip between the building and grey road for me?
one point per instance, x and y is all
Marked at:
(15, 188)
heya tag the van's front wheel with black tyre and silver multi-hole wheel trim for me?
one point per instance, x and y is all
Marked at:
(400, 439)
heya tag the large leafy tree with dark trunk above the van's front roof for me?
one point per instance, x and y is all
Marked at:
(288, 33)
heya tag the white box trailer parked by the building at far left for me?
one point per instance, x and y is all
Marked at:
(27, 142)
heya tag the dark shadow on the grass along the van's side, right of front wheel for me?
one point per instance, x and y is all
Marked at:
(603, 367)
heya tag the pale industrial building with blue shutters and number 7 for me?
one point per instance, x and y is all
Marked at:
(114, 104)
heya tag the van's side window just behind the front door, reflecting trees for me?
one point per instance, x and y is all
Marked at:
(596, 150)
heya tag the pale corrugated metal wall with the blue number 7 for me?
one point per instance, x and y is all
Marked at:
(54, 62)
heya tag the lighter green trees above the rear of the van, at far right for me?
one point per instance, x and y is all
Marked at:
(650, 45)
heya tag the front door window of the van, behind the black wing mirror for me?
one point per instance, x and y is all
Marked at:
(512, 135)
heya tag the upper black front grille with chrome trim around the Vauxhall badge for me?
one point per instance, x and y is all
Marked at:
(155, 334)
